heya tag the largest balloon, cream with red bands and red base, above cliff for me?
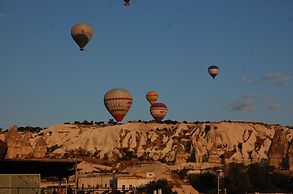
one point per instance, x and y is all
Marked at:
(118, 102)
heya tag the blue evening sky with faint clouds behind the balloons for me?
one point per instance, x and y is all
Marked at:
(161, 45)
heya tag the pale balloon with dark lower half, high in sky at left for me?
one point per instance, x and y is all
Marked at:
(81, 34)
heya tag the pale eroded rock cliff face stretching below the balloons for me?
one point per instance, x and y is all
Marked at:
(217, 142)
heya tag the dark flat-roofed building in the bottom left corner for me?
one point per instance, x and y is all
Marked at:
(24, 169)
